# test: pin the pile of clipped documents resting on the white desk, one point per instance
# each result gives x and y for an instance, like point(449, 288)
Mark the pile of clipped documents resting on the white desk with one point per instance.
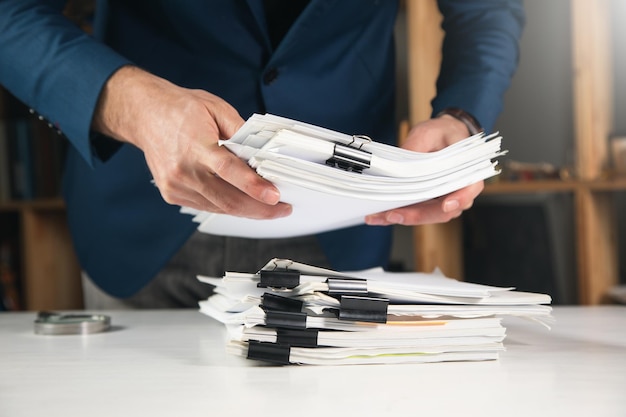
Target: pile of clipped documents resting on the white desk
point(293, 313)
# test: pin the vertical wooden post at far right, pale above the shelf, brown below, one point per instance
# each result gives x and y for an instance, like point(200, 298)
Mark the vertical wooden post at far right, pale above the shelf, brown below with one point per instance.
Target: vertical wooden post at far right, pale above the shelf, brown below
point(593, 121)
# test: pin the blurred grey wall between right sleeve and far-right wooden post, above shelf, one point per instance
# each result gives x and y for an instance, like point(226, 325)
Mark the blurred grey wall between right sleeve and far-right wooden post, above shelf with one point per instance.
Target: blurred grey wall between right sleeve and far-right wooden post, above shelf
point(537, 123)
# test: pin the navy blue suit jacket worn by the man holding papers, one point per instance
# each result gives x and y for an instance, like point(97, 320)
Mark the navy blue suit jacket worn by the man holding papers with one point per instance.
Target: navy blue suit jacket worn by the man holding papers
point(334, 68)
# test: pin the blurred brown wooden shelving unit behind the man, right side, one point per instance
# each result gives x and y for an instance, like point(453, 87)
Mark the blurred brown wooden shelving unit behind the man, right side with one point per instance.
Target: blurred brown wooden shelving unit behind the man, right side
point(595, 220)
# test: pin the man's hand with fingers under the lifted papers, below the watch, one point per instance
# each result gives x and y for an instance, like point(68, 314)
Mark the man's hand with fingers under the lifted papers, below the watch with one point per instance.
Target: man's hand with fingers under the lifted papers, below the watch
point(429, 136)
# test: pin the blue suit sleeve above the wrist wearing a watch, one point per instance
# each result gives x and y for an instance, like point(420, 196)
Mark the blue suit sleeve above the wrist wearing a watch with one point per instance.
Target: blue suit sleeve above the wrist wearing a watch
point(479, 57)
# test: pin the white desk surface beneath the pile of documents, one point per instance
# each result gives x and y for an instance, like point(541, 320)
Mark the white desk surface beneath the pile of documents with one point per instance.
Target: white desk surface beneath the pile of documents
point(172, 363)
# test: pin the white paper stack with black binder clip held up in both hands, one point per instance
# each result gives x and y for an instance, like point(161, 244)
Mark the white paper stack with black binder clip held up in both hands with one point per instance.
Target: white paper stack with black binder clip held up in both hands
point(334, 180)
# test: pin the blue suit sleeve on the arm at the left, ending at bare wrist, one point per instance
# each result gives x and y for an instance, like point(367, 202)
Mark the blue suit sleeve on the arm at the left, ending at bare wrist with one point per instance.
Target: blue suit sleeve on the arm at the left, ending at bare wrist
point(54, 67)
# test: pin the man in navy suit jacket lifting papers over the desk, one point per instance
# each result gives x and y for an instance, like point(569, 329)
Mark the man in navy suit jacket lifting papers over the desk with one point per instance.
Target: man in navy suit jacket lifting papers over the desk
point(150, 94)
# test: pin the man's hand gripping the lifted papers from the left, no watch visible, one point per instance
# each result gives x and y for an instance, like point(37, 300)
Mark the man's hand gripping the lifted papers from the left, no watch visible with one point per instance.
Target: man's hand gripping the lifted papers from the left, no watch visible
point(178, 131)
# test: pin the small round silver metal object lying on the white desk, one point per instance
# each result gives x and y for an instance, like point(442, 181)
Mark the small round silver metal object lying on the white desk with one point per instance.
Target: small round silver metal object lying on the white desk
point(49, 323)
